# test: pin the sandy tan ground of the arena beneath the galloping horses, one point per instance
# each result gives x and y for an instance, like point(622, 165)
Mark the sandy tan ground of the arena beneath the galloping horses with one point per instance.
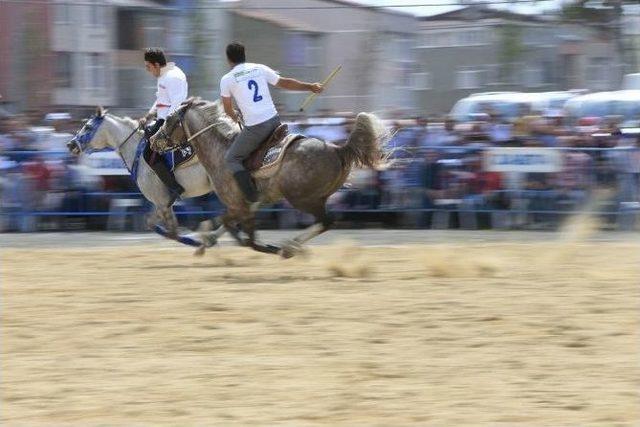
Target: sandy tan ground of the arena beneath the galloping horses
point(497, 332)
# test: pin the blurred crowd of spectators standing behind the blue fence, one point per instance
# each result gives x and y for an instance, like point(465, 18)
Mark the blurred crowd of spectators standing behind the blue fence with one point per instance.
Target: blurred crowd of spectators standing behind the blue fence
point(436, 164)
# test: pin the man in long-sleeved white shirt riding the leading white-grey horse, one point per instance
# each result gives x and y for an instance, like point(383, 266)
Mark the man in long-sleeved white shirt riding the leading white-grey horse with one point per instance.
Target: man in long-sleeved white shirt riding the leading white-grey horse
point(172, 91)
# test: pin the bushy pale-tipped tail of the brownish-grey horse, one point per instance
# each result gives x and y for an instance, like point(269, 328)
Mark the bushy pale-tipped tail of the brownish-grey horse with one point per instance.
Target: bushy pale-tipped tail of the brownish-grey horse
point(367, 143)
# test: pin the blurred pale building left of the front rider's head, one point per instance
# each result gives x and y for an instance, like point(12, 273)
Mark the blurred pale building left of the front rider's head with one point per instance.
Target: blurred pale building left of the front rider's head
point(97, 48)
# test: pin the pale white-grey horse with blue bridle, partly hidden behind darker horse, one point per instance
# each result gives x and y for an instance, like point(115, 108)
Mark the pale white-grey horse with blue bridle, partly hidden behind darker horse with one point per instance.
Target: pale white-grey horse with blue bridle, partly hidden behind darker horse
point(122, 134)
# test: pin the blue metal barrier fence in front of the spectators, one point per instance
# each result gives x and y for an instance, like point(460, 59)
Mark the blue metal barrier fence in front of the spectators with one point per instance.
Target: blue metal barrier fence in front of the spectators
point(432, 187)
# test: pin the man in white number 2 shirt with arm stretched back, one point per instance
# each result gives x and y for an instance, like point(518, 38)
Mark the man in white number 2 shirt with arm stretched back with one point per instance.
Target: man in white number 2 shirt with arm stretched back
point(248, 84)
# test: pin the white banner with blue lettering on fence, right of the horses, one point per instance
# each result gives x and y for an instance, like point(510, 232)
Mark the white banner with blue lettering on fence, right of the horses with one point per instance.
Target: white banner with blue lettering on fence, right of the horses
point(522, 160)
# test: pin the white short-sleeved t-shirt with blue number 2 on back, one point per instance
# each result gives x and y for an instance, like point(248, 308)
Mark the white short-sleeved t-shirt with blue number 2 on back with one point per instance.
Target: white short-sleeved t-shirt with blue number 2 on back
point(249, 85)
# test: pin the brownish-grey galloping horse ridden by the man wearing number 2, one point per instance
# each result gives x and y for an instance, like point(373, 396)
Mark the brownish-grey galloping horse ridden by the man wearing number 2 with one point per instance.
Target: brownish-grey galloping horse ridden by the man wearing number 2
point(305, 172)
